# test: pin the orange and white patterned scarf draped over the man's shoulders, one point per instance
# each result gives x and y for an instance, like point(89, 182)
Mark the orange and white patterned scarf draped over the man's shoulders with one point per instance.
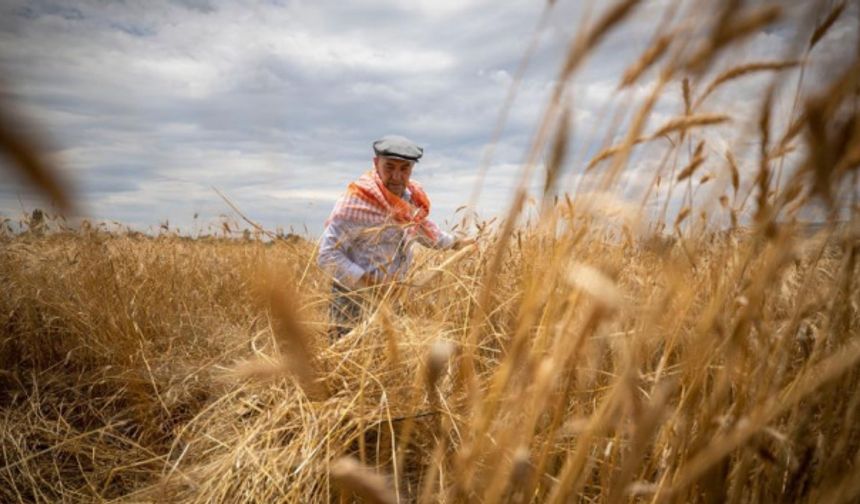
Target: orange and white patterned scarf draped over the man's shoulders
point(368, 201)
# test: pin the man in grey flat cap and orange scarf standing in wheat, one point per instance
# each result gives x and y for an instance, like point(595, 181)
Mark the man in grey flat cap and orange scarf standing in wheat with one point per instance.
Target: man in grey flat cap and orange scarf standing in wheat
point(369, 234)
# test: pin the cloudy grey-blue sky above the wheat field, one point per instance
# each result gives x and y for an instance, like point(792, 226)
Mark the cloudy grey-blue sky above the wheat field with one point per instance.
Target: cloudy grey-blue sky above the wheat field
point(148, 106)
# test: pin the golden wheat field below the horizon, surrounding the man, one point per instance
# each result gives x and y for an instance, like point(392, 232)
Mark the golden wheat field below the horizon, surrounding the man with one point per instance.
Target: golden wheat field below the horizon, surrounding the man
point(164, 369)
